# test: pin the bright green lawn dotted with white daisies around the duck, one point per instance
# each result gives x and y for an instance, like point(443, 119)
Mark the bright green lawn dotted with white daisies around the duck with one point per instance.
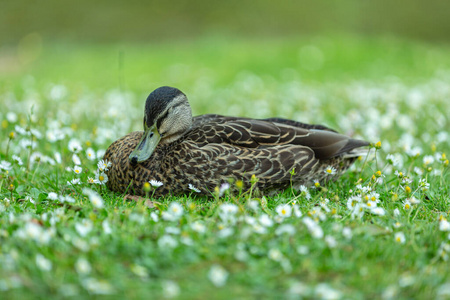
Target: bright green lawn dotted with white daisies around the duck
point(387, 90)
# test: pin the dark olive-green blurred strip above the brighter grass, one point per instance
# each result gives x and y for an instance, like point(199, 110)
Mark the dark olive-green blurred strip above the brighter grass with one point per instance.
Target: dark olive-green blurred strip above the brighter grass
point(146, 21)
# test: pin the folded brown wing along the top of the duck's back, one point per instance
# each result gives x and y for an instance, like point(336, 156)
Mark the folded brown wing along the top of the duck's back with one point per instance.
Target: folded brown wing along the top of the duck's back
point(252, 133)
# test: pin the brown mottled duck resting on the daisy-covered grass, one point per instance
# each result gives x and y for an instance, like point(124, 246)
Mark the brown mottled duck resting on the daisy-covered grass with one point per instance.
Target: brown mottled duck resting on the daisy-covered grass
point(198, 154)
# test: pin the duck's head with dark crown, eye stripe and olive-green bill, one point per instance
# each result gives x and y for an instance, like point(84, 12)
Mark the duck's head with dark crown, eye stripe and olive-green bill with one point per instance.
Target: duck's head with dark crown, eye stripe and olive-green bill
point(167, 117)
